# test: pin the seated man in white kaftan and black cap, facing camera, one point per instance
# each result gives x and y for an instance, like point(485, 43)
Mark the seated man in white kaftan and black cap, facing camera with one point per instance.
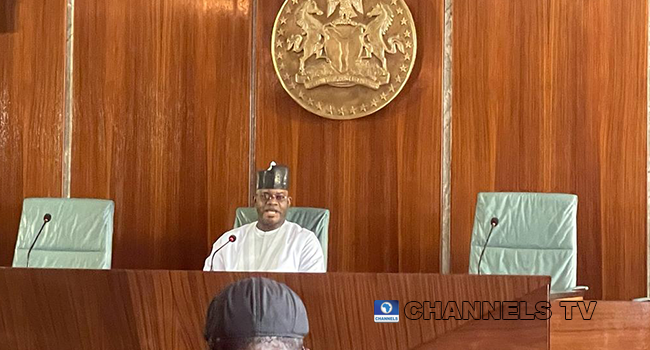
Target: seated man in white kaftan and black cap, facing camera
point(271, 244)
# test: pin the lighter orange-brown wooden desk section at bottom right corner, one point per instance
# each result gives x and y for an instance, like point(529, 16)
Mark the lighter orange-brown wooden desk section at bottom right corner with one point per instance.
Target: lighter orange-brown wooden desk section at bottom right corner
point(615, 325)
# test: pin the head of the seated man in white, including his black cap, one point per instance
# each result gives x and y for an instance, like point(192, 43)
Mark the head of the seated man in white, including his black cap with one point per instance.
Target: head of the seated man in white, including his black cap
point(272, 197)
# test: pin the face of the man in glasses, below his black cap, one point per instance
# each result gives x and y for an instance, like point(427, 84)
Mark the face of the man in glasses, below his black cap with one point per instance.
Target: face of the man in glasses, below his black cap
point(271, 208)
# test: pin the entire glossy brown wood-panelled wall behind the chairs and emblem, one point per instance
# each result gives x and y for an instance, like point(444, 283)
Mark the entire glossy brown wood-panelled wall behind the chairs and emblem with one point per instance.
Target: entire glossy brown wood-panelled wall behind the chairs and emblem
point(548, 95)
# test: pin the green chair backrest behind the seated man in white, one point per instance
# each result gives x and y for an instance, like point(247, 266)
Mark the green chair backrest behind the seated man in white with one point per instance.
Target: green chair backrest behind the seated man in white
point(316, 220)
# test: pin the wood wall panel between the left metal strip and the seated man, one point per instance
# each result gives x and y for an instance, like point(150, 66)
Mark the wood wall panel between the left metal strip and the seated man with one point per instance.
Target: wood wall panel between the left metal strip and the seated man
point(161, 122)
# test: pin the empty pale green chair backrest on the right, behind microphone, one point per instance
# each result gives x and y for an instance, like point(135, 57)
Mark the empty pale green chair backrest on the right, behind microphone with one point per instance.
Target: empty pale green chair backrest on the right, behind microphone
point(536, 235)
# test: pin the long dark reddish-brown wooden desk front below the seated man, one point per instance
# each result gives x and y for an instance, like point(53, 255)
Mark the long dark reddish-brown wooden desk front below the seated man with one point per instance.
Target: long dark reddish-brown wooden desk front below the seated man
point(151, 309)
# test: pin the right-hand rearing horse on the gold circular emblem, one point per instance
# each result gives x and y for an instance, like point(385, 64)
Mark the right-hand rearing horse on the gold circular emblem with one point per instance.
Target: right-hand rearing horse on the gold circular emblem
point(375, 31)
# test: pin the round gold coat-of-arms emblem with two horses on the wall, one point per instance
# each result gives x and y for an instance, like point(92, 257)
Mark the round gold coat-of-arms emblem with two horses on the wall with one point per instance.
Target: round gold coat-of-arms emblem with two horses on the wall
point(343, 59)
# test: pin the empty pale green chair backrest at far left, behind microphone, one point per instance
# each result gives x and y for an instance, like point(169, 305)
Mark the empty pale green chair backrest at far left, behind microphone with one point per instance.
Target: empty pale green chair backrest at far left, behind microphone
point(79, 235)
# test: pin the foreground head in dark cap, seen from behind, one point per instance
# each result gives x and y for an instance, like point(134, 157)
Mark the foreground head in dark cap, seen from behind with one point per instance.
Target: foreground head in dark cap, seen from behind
point(256, 314)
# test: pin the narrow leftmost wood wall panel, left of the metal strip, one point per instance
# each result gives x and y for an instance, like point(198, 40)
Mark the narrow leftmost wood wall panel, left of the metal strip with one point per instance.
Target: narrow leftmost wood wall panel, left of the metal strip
point(32, 43)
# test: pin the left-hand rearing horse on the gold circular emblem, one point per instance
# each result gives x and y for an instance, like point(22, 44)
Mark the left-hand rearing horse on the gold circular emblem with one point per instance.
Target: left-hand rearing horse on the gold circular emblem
point(311, 44)
